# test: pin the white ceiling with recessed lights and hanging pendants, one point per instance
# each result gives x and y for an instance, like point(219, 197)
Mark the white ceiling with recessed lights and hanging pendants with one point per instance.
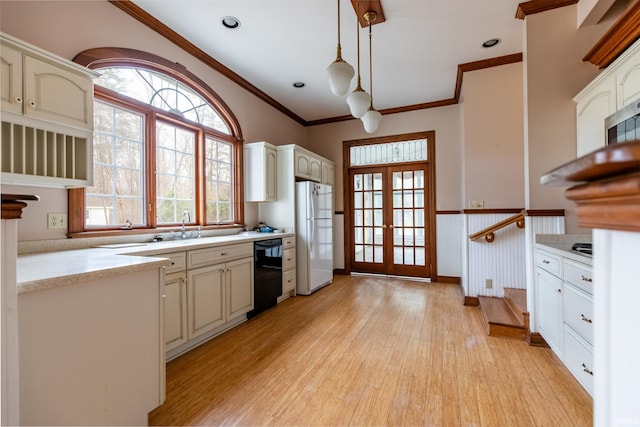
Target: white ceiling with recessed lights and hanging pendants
point(416, 50)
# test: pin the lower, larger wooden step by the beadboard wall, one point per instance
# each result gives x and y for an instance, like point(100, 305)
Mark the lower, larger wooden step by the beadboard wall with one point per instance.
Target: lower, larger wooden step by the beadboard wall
point(500, 319)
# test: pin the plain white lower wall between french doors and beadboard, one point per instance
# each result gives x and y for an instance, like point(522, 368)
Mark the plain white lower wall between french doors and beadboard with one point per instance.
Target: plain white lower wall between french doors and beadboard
point(448, 242)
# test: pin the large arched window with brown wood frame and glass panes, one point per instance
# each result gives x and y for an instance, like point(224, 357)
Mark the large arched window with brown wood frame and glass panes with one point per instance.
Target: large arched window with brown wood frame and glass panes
point(166, 150)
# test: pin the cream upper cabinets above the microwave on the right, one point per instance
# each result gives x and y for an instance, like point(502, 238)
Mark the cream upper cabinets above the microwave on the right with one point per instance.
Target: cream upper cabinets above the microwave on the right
point(615, 87)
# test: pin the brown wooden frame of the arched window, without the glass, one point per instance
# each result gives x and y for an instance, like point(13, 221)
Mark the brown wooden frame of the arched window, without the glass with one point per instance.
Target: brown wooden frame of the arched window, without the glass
point(121, 57)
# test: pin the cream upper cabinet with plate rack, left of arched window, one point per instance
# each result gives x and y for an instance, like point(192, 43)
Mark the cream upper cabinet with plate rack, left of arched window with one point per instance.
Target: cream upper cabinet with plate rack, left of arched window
point(47, 117)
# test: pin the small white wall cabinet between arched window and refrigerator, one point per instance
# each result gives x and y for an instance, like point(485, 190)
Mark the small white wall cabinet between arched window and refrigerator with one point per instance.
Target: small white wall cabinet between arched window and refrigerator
point(260, 172)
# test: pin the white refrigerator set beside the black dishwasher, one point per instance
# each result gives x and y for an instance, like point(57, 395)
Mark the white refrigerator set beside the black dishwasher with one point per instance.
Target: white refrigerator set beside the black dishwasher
point(314, 236)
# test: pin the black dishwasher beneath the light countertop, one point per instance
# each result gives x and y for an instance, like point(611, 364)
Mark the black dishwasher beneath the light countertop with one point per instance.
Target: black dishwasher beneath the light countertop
point(267, 274)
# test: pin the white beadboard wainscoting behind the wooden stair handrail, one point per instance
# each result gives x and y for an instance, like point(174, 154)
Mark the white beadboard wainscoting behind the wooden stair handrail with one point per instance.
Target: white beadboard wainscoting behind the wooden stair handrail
point(502, 261)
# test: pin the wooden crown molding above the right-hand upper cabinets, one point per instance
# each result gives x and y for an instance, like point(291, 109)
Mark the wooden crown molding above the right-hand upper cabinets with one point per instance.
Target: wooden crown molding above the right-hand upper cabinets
point(617, 39)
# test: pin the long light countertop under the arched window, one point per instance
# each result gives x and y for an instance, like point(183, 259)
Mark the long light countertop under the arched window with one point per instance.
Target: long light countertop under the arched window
point(37, 271)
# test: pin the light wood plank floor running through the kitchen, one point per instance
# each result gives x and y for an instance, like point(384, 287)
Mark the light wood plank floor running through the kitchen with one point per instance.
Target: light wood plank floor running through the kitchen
point(371, 351)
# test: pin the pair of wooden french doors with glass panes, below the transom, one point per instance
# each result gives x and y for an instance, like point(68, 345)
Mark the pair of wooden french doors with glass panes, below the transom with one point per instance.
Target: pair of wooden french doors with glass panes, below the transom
point(390, 209)
